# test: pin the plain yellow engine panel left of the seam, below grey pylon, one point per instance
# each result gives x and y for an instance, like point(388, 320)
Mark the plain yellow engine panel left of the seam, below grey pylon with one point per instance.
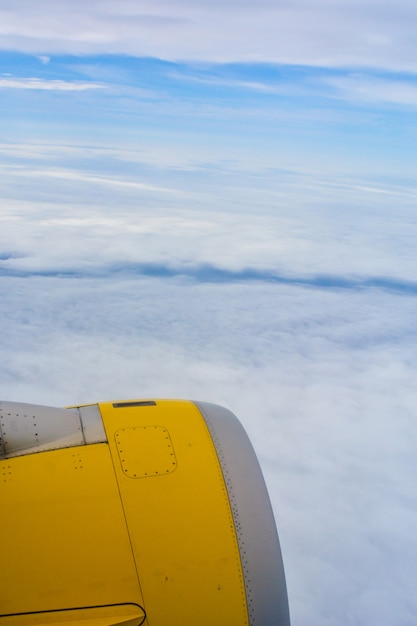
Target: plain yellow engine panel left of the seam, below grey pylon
point(64, 537)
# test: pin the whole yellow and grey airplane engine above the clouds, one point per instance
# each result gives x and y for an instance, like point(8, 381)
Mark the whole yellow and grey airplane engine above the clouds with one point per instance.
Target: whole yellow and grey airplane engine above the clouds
point(135, 512)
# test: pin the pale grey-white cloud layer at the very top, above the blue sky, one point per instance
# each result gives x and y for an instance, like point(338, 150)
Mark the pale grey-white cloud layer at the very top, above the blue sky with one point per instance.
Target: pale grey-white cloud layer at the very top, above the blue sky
point(370, 33)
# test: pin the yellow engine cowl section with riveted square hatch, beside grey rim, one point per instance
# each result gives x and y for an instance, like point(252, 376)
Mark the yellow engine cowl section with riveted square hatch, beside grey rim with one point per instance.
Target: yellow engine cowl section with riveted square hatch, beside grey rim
point(180, 522)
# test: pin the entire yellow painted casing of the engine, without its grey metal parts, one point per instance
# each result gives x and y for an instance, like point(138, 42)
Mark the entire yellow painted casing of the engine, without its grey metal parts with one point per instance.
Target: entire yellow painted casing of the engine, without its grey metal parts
point(141, 521)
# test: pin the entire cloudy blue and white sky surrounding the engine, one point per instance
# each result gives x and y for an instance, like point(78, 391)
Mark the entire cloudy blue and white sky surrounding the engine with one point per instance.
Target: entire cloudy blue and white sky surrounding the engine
point(217, 201)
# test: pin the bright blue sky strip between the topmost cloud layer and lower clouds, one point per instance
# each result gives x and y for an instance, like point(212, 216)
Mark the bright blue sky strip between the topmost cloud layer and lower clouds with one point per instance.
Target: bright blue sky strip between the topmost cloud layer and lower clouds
point(351, 118)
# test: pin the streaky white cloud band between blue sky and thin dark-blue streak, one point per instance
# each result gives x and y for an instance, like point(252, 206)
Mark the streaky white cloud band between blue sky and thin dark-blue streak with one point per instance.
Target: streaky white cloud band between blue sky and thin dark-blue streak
point(113, 212)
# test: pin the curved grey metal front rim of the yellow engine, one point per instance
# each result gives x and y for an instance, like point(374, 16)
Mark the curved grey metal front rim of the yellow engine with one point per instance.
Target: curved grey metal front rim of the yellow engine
point(257, 537)
